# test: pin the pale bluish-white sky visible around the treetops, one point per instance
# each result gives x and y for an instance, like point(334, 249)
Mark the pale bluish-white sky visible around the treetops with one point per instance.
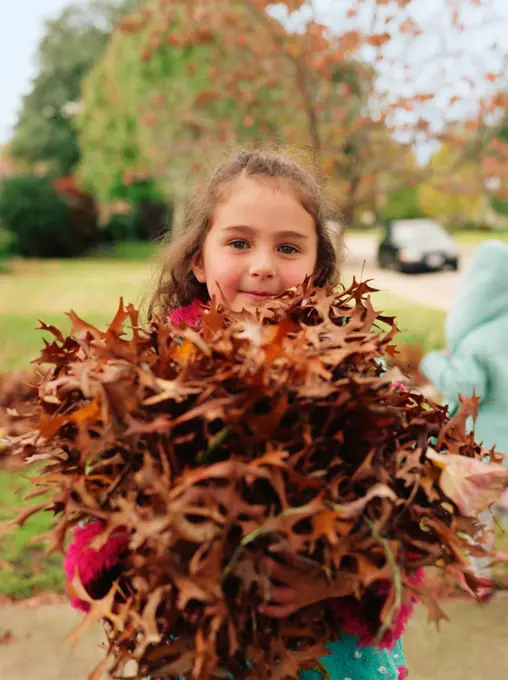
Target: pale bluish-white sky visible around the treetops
point(22, 24)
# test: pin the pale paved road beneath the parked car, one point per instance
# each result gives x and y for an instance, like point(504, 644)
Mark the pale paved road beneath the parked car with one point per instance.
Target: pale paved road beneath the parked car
point(435, 290)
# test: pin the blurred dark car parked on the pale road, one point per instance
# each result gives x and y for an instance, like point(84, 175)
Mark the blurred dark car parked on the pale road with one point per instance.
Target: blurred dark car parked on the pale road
point(416, 246)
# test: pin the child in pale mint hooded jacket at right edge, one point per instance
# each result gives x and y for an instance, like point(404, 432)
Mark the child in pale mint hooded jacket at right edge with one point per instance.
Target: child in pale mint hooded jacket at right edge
point(476, 359)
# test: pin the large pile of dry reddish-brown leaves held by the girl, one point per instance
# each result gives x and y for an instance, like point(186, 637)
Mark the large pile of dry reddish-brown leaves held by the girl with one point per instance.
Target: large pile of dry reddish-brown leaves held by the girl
point(243, 443)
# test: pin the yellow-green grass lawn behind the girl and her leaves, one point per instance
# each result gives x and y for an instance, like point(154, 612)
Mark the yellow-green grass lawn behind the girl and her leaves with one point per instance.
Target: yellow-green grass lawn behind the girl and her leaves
point(45, 290)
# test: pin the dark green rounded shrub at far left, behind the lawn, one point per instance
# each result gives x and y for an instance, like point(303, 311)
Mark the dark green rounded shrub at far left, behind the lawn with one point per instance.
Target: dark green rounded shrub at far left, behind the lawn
point(41, 222)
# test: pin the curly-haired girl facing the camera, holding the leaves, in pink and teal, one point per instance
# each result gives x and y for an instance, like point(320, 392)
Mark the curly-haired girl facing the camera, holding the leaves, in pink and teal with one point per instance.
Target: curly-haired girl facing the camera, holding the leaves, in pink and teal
point(258, 229)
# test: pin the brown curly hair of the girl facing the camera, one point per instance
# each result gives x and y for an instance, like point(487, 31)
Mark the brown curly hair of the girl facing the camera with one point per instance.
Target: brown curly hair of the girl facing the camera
point(176, 284)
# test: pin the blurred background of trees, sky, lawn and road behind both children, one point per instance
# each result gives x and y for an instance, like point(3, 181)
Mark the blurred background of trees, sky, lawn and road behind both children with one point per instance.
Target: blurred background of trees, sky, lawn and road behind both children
point(110, 110)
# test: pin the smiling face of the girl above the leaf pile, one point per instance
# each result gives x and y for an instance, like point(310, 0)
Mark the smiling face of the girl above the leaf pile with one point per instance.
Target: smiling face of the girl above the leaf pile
point(261, 242)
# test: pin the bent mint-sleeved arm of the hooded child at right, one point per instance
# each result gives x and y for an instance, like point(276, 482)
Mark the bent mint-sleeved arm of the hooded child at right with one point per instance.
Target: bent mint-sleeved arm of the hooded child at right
point(454, 374)
